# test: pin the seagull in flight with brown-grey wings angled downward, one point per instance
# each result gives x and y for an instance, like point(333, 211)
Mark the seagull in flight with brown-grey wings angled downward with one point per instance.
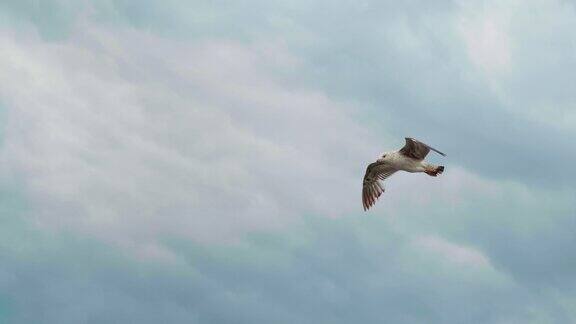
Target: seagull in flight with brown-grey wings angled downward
point(410, 158)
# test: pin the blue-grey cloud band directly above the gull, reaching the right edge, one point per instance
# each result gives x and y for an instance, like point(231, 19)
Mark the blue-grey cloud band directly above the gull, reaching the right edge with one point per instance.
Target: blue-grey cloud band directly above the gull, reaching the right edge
point(431, 90)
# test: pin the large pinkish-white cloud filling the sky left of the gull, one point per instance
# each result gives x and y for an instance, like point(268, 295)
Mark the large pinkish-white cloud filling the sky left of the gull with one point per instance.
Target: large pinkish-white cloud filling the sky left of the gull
point(131, 137)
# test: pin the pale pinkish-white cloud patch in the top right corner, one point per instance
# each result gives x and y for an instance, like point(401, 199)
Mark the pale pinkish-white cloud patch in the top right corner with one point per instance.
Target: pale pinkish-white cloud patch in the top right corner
point(519, 44)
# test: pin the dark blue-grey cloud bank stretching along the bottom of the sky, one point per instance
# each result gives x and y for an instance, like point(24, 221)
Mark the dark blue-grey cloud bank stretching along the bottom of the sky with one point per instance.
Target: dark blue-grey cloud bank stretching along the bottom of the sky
point(327, 271)
